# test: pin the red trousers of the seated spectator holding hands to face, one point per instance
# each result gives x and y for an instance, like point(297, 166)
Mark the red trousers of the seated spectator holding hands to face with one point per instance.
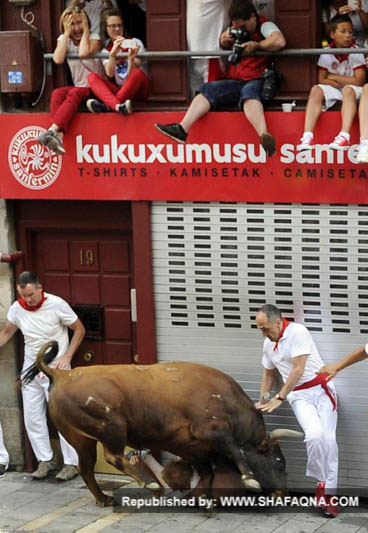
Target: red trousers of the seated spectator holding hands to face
point(65, 102)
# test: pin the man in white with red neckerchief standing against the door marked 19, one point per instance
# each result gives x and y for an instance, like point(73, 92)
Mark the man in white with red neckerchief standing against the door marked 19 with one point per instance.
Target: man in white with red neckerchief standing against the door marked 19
point(42, 317)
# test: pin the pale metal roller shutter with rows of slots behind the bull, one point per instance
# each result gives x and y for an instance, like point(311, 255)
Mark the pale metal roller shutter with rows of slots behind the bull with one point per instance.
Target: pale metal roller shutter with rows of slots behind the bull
point(215, 264)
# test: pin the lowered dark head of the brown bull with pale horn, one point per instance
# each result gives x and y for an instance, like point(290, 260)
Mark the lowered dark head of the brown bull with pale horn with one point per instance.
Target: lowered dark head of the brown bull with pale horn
point(267, 461)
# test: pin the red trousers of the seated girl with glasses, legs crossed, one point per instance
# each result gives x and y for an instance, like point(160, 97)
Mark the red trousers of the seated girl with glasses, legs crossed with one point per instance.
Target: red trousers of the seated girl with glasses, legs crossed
point(134, 88)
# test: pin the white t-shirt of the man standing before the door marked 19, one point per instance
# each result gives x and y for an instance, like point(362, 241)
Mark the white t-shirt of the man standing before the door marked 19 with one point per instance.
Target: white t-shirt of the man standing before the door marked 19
point(50, 322)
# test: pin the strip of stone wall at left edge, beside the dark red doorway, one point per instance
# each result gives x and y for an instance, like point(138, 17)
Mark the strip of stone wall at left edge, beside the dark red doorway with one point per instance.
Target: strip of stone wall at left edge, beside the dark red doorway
point(10, 401)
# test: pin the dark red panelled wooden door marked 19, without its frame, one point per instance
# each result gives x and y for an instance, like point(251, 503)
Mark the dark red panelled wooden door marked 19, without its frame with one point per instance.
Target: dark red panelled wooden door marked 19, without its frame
point(91, 270)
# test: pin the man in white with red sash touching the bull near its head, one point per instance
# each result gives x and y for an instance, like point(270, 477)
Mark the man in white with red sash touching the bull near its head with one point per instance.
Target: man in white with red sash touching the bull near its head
point(290, 349)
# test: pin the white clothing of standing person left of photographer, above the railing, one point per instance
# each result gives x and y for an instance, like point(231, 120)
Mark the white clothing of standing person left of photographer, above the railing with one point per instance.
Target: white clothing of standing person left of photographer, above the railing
point(206, 19)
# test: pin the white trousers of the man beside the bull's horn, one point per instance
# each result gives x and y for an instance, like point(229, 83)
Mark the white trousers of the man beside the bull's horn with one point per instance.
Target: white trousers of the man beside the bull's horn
point(314, 412)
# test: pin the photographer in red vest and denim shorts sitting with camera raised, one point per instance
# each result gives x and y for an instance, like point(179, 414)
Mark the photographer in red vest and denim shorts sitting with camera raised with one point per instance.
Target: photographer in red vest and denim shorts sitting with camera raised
point(243, 82)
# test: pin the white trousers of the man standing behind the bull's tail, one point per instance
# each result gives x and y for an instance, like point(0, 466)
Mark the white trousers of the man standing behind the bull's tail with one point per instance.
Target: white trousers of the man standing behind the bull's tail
point(35, 398)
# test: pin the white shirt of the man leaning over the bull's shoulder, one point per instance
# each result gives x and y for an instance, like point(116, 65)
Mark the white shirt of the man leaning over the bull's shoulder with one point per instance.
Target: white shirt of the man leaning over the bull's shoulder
point(295, 341)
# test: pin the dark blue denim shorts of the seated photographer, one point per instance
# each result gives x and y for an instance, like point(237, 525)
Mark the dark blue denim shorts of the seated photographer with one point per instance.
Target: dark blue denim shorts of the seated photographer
point(231, 92)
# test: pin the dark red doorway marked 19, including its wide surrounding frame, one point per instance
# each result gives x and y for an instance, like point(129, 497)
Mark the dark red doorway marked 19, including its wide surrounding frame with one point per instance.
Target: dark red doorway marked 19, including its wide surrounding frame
point(97, 256)
